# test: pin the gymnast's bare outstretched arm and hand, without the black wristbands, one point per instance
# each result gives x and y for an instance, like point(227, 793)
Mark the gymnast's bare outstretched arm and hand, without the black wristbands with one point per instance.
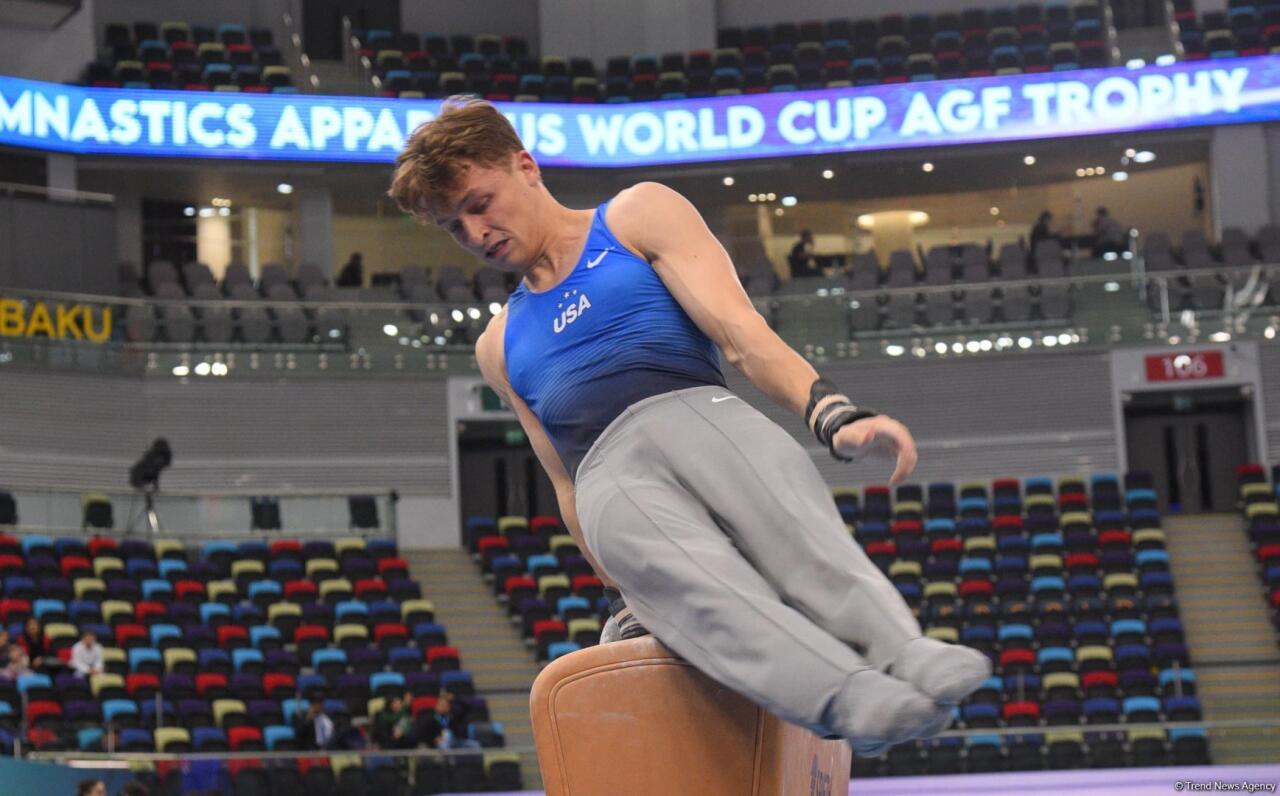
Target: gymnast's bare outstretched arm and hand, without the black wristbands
point(666, 230)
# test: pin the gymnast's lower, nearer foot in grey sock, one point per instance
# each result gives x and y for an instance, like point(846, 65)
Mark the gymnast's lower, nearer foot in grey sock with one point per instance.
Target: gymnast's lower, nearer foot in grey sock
point(879, 711)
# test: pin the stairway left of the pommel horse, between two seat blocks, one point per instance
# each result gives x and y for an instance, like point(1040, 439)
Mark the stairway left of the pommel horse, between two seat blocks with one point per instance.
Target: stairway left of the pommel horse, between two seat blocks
point(490, 644)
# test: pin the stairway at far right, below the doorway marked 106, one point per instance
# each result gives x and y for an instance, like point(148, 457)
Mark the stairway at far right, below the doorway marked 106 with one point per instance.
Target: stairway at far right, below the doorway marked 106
point(1228, 630)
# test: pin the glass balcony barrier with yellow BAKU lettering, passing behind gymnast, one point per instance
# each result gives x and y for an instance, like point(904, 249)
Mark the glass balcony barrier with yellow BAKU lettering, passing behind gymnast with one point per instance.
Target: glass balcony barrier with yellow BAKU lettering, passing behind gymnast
point(1096, 304)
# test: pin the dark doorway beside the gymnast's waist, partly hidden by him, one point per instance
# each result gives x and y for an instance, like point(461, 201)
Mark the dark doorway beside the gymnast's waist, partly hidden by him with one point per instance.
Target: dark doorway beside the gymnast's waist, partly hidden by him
point(499, 473)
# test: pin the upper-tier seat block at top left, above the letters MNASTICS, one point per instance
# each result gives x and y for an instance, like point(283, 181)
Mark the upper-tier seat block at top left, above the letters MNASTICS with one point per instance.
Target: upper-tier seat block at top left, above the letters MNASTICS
point(193, 58)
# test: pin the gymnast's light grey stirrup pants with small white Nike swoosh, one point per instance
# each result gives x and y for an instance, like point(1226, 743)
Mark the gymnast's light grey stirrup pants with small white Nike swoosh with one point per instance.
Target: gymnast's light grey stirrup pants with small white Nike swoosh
point(728, 546)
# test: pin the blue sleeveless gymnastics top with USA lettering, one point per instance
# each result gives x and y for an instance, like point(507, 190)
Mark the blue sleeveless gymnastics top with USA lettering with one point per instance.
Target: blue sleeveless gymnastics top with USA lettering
point(610, 335)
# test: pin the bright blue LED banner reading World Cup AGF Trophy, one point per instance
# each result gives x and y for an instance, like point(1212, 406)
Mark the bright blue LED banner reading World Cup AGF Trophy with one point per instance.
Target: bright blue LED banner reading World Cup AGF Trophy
point(941, 113)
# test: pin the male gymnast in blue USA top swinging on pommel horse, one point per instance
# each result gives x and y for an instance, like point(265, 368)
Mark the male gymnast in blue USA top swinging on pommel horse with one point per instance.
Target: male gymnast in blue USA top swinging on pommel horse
point(711, 520)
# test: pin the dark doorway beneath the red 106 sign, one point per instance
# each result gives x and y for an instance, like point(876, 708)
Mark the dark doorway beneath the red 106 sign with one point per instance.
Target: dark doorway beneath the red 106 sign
point(1191, 442)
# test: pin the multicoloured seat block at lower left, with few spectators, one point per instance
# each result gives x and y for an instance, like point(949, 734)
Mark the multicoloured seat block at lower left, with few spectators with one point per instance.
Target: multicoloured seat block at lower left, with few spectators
point(216, 649)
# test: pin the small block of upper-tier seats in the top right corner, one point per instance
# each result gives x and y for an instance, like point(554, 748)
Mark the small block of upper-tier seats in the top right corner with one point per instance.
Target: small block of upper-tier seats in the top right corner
point(1242, 29)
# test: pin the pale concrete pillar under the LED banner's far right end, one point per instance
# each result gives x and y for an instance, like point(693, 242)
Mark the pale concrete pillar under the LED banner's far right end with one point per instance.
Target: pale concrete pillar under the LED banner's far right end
point(1240, 175)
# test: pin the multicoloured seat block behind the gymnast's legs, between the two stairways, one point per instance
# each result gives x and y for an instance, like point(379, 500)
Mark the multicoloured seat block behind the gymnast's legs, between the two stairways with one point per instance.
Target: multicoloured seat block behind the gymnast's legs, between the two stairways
point(1064, 585)
